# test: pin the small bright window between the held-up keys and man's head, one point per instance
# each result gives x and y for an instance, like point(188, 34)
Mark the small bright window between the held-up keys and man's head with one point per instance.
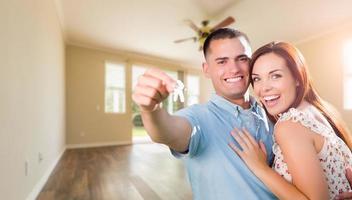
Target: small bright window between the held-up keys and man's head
point(192, 89)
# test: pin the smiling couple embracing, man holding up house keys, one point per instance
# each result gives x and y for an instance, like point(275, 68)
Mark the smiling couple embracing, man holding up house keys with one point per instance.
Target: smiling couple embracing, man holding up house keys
point(311, 146)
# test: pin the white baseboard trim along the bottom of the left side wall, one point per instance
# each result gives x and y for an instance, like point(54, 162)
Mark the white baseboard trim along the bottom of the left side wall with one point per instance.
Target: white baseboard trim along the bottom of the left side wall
point(40, 184)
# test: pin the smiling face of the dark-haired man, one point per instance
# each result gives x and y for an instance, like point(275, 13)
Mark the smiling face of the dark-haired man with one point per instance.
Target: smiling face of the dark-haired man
point(227, 65)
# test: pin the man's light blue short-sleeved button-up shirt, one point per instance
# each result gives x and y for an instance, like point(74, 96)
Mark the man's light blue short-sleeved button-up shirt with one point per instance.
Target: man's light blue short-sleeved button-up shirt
point(215, 171)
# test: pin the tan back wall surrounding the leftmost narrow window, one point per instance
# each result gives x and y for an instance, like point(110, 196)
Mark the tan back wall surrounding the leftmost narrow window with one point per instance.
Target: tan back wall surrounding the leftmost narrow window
point(87, 125)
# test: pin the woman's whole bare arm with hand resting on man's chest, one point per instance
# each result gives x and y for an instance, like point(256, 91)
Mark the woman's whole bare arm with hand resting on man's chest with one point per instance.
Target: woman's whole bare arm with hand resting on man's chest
point(300, 155)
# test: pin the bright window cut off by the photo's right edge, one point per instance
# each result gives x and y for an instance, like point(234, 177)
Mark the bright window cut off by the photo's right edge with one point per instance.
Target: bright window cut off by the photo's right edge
point(347, 55)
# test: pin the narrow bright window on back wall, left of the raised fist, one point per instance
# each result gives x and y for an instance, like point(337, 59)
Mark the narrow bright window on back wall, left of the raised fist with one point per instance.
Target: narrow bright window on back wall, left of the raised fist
point(115, 84)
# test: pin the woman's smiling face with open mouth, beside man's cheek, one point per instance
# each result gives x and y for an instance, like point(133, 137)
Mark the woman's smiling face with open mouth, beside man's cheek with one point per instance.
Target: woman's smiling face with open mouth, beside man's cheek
point(273, 83)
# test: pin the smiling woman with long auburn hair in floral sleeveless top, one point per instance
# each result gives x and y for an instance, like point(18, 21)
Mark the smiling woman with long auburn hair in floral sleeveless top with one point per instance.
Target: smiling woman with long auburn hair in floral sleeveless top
point(311, 146)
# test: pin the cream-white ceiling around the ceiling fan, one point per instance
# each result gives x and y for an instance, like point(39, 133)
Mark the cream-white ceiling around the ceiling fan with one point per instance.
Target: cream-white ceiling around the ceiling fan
point(149, 27)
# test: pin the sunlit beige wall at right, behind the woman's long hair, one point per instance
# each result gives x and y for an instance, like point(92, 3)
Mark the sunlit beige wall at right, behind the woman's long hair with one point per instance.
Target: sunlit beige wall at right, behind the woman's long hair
point(325, 60)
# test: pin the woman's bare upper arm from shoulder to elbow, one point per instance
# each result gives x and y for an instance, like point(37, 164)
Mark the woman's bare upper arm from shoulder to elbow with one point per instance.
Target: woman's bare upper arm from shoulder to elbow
point(300, 154)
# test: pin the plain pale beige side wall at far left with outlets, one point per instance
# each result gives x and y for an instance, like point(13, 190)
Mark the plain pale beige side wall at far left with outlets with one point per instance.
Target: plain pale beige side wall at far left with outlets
point(32, 98)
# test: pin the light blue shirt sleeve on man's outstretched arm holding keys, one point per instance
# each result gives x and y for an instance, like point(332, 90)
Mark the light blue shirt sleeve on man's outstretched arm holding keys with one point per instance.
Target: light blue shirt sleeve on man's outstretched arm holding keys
point(191, 114)
